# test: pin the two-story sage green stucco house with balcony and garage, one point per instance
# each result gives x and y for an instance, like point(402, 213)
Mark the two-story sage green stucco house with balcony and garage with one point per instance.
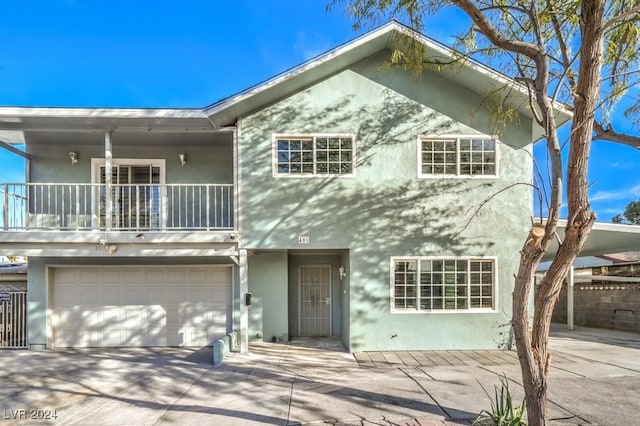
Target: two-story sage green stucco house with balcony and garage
point(342, 197)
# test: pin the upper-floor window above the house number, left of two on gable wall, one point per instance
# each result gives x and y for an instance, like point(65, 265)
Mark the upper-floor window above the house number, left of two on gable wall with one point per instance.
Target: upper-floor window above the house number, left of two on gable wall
point(314, 155)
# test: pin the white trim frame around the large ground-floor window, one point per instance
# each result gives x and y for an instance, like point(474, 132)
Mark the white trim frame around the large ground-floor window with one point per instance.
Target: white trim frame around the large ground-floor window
point(405, 311)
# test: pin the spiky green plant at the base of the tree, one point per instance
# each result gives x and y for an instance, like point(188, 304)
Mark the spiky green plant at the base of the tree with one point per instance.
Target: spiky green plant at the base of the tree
point(503, 410)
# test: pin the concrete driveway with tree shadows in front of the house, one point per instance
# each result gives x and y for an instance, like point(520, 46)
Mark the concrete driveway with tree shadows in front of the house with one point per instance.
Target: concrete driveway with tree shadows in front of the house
point(595, 379)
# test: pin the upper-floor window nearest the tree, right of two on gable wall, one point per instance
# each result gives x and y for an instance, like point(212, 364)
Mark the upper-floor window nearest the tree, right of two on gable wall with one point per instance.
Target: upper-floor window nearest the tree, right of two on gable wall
point(458, 156)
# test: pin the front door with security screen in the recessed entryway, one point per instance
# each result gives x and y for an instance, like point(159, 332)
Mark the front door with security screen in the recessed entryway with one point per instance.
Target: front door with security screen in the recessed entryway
point(315, 300)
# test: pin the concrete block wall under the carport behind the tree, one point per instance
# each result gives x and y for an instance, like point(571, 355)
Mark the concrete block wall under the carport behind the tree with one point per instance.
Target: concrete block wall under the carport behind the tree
point(612, 306)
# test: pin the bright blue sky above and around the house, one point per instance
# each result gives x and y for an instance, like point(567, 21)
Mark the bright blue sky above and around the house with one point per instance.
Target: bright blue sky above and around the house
point(192, 53)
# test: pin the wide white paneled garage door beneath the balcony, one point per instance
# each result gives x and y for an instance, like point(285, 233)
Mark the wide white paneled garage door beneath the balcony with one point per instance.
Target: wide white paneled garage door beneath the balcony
point(140, 306)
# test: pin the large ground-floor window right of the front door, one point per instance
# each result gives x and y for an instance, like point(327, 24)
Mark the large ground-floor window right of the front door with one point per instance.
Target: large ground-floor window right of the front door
point(433, 284)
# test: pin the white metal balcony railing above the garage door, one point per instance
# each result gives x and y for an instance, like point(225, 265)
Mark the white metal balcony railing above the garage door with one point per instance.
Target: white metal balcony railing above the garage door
point(76, 206)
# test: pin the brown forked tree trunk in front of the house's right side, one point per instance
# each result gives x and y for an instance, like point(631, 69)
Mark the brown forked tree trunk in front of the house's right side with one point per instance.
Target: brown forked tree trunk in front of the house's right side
point(533, 351)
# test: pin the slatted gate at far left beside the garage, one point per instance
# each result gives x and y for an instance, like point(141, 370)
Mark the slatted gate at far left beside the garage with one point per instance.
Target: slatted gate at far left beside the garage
point(13, 318)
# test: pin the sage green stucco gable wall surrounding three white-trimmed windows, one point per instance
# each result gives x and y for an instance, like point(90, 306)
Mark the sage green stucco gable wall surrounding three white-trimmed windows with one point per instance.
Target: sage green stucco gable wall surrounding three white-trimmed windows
point(385, 210)
